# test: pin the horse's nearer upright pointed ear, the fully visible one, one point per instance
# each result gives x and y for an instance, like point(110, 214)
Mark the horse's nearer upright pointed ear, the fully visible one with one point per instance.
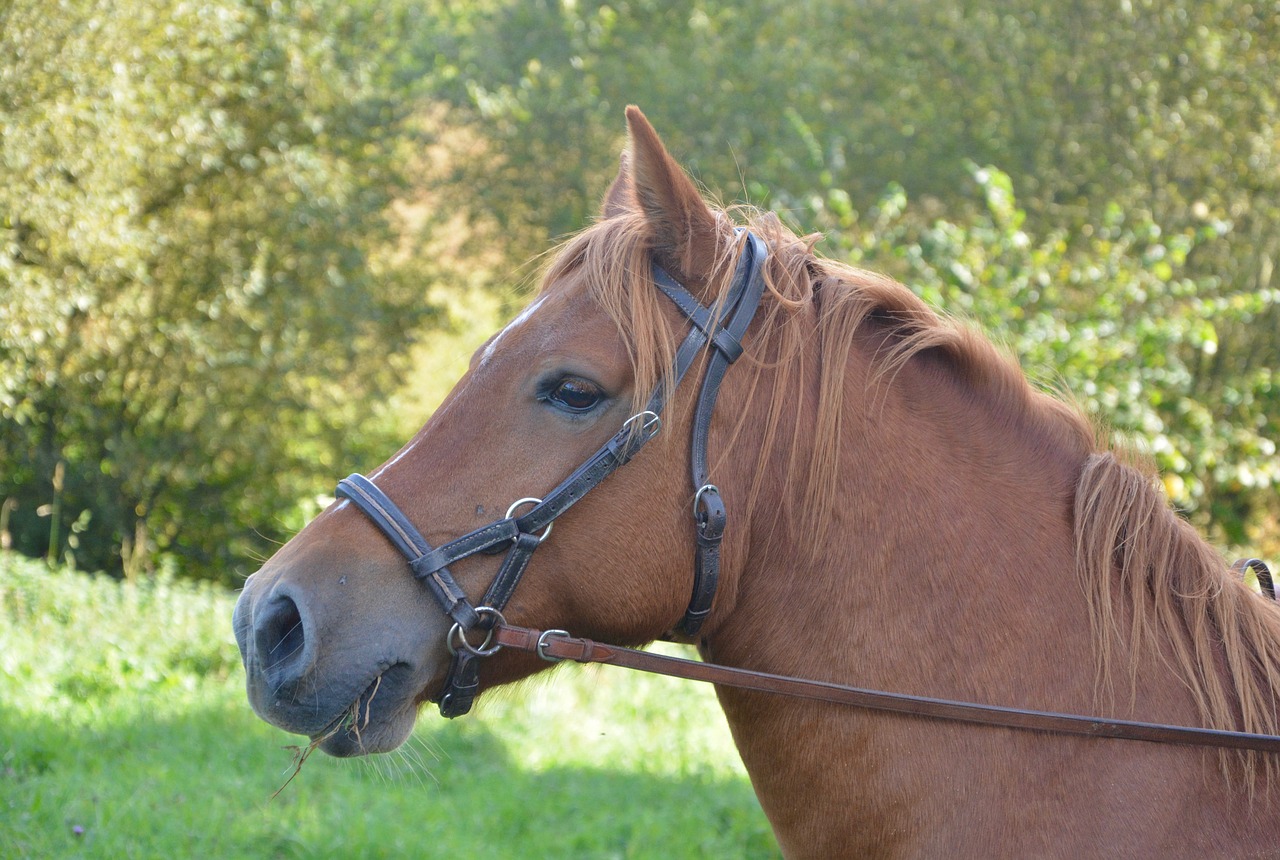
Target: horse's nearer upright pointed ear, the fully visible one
point(683, 225)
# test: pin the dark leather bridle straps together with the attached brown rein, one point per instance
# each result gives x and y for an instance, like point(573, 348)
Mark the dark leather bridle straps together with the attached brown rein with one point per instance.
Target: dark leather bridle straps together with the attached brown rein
point(525, 533)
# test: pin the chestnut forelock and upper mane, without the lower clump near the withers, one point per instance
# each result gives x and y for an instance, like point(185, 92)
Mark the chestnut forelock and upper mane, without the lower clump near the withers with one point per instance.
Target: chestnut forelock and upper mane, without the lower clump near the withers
point(615, 255)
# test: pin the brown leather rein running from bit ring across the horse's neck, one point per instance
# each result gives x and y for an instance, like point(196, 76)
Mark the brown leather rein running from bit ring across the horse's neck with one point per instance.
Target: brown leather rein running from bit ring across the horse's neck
point(556, 646)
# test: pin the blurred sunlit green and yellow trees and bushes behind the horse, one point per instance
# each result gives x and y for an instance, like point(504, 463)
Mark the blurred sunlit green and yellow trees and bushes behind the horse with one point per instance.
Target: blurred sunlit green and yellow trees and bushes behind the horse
point(223, 223)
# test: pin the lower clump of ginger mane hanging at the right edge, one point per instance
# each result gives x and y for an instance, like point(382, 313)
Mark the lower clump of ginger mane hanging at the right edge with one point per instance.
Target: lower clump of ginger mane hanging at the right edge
point(1155, 585)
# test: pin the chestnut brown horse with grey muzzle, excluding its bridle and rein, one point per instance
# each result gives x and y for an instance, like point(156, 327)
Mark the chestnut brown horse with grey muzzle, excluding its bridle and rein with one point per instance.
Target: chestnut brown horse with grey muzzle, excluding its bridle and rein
point(904, 513)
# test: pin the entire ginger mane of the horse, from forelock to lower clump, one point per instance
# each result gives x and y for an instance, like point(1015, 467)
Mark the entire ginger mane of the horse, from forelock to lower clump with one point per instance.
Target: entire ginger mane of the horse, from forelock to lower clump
point(1151, 583)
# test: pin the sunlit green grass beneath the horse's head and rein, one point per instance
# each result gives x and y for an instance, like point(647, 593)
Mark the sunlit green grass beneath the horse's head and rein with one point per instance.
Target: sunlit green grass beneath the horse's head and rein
point(125, 733)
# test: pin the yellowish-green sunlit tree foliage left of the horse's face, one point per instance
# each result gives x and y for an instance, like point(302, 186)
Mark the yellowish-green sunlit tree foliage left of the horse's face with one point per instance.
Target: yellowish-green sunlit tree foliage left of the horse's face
point(196, 271)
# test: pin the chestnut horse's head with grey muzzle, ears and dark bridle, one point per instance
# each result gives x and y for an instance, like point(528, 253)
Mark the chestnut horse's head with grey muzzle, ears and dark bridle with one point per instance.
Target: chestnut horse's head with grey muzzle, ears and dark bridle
point(344, 643)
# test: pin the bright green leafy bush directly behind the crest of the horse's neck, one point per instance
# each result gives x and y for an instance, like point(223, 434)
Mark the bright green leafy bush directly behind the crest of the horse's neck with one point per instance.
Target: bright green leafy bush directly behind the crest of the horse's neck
point(1110, 317)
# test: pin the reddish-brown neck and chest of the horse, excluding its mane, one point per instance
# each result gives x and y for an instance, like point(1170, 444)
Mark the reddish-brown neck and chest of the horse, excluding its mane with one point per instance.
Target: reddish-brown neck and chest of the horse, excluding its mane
point(948, 569)
